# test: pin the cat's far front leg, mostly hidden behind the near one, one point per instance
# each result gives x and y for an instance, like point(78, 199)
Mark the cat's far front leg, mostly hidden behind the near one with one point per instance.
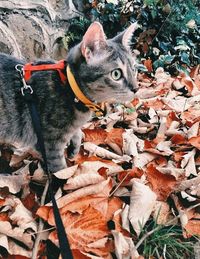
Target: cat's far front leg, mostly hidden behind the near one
point(75, 143)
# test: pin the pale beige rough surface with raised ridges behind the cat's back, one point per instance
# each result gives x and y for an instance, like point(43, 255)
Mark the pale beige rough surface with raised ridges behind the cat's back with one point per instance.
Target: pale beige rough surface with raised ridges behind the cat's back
point(33, 29)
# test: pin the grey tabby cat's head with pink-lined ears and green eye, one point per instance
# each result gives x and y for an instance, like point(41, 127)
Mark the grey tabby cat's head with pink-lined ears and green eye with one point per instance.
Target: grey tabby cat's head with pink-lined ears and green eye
point(105, 69)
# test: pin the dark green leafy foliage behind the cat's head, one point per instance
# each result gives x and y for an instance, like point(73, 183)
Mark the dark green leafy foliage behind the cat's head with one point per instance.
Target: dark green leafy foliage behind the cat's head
point(169, 34)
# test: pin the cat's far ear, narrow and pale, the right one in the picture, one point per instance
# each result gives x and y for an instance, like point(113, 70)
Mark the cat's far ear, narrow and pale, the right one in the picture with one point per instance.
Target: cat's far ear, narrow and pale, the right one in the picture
point(125, 37)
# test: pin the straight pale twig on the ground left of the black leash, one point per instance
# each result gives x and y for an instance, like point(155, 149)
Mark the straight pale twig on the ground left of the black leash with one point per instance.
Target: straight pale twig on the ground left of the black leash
point(41, 224)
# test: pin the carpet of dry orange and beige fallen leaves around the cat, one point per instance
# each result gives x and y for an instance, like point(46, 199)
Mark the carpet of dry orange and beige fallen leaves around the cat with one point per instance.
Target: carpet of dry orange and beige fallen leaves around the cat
point(139, 163)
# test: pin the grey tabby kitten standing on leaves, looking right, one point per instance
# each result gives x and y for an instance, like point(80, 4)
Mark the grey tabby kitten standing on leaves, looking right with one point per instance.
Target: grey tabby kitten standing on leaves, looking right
point(103, 69)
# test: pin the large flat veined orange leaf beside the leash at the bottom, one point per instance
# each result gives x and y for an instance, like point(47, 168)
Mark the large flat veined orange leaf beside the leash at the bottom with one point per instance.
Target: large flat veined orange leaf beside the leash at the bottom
point(84, 229)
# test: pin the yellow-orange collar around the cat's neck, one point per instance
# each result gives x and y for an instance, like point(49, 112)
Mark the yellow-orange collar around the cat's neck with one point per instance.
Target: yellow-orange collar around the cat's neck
point(80, 95)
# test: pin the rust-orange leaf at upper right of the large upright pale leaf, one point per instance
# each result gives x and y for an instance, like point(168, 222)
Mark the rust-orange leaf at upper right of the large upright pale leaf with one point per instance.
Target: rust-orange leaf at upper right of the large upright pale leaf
point(162, 184)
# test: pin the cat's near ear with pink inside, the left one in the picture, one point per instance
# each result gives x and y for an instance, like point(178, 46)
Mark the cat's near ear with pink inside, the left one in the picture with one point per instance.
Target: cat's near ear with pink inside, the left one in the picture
point(93, 40)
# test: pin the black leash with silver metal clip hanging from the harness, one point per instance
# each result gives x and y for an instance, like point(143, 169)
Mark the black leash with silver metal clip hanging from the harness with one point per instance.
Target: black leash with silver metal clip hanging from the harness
point(28, 95)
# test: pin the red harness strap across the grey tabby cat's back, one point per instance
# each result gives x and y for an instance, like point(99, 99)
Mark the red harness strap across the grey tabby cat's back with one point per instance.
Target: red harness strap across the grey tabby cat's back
point(59, 66)
